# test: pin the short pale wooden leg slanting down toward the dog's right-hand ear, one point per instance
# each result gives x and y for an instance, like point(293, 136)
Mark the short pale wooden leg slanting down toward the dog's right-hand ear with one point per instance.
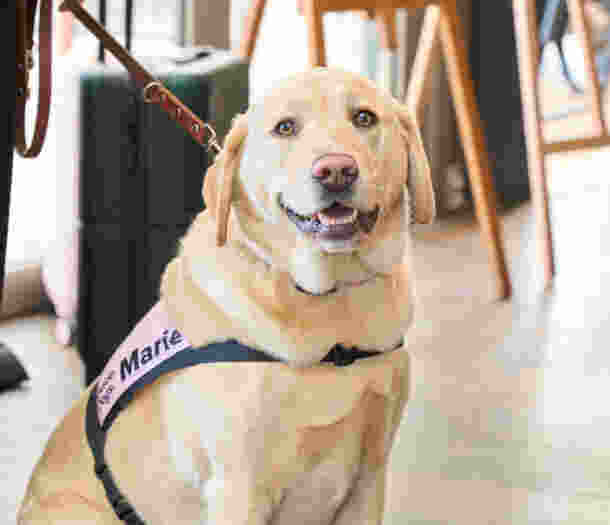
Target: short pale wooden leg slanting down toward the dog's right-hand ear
point(426, 51)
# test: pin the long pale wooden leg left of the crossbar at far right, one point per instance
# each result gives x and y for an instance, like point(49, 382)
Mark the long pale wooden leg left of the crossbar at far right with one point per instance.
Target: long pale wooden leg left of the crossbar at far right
point(526, 36)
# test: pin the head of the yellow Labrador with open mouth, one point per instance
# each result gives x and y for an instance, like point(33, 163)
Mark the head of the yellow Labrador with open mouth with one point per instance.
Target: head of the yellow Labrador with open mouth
point(326, 169)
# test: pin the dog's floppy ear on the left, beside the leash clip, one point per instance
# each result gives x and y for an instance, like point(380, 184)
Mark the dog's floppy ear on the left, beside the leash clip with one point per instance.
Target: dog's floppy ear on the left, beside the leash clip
point(218, 182)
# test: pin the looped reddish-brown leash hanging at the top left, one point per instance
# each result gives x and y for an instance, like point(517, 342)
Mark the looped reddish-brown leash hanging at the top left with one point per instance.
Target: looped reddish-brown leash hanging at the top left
point(26, 15)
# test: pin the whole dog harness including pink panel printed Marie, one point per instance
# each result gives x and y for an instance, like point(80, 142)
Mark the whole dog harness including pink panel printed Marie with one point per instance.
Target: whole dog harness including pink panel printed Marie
point(152, 349)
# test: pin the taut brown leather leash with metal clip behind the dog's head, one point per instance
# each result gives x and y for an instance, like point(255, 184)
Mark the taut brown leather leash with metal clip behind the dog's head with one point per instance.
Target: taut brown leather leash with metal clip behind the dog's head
point(153, 91)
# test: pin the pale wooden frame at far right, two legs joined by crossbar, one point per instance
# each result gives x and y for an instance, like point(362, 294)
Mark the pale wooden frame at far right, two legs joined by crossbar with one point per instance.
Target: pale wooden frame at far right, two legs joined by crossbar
point(529, 58)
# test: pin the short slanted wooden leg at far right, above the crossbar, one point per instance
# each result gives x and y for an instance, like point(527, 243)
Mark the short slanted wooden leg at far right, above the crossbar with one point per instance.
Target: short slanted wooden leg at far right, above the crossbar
point(576, 9)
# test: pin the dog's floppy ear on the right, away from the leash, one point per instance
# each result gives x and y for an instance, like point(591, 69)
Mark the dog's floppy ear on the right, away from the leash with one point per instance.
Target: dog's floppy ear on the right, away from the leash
point(419, 180)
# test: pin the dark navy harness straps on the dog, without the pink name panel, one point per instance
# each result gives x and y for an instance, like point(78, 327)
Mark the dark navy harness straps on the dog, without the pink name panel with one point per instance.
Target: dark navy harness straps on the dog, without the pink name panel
point(213, 353)
